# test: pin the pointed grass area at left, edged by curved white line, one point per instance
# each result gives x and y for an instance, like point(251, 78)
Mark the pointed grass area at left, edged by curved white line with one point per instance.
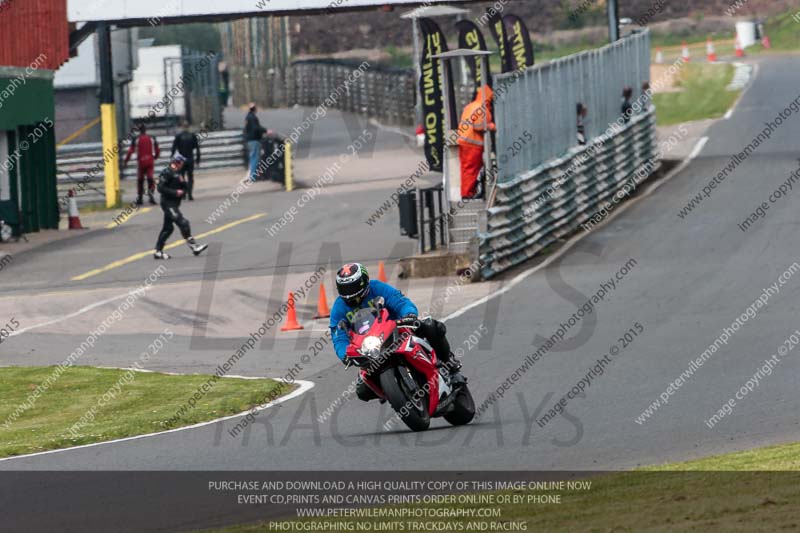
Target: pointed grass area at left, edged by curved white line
point(131, 407)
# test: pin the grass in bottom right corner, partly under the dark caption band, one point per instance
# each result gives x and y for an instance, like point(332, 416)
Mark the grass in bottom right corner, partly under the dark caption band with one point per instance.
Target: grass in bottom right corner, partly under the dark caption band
point(754, 490)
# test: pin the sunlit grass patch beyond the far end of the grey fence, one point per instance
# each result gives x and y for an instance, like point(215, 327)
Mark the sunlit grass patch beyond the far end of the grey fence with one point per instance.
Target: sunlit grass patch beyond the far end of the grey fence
point(703, 94)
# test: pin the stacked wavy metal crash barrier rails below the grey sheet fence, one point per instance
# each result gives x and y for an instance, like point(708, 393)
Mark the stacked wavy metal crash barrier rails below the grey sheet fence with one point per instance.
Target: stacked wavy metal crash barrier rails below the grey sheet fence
point(516, 231)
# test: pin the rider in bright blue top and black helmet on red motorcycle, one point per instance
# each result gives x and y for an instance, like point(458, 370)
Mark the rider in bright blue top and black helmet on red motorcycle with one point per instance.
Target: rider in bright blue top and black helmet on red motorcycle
point(357, 291)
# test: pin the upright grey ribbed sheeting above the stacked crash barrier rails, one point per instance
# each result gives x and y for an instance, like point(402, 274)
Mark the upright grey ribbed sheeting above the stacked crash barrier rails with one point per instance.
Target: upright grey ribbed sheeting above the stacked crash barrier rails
point(536, 108)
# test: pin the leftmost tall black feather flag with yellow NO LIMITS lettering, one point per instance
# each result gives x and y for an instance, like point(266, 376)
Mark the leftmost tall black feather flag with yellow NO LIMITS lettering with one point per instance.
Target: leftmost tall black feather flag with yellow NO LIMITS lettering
point(430, 89)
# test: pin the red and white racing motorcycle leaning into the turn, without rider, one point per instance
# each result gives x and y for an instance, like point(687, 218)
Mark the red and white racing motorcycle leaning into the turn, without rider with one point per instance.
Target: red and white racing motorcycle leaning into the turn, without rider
point(404, 370)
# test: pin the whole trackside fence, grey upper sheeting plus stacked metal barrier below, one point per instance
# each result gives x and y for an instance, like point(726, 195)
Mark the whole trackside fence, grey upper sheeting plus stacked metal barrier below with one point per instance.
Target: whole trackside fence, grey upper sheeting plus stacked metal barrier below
point(548, 183)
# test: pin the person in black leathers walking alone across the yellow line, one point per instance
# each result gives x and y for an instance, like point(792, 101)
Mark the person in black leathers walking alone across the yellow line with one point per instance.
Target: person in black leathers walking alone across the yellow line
point(172, 188)
